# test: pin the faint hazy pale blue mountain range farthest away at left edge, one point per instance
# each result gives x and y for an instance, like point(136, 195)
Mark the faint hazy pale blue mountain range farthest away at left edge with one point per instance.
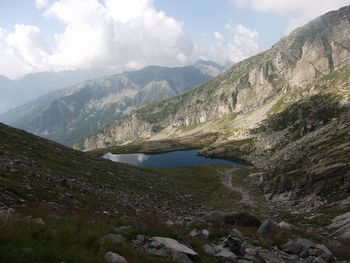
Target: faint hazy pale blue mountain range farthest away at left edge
point(31, 86)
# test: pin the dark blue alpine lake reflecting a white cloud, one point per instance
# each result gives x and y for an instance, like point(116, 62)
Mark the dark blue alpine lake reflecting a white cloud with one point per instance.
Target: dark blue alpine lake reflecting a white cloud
point(165, 160)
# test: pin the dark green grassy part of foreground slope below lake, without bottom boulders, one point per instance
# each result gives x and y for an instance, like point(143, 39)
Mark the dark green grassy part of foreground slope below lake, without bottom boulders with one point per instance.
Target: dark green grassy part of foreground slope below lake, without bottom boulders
point(101, 195)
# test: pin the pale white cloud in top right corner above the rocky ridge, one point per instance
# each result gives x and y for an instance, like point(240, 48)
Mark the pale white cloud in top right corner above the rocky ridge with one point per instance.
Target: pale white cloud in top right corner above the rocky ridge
point(298, 12)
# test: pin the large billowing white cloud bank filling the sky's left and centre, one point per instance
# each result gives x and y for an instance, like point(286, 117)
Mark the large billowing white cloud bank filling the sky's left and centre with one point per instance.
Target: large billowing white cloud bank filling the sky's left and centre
point(113, 33)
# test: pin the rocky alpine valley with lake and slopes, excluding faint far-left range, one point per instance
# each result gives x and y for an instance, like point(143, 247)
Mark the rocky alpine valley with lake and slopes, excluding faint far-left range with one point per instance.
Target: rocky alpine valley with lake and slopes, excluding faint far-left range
point(275, 187)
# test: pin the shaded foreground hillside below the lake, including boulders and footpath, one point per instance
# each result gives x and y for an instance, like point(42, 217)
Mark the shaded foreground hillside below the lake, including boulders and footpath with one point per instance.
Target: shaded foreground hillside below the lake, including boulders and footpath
point(62, 205)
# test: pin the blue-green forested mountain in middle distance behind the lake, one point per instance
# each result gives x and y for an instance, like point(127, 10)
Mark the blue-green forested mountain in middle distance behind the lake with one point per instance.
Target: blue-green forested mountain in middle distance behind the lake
point(68, 115)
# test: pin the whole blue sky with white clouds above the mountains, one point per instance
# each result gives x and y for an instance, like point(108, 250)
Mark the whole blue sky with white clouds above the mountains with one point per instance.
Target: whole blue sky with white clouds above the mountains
point(54, 35)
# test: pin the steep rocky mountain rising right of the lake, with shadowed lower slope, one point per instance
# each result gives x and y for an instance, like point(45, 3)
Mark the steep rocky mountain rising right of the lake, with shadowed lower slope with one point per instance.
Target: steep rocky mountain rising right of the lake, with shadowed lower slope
point(284, 110)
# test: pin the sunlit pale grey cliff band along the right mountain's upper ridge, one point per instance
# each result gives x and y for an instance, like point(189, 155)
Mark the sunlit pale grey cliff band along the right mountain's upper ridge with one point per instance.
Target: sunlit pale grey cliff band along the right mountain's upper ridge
point(298, 60)
